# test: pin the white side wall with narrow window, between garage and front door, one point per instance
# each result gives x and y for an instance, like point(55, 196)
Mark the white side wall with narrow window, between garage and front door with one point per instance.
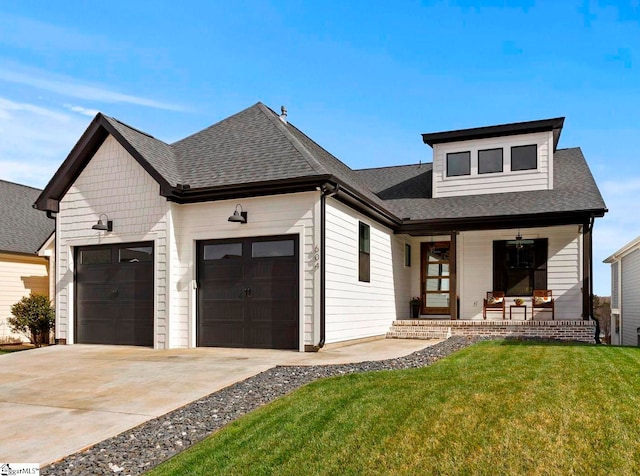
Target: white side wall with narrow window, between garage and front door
point(357, 309)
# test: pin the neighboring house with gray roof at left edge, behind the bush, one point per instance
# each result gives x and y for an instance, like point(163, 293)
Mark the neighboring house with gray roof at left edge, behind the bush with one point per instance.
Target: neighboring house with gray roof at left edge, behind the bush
point(23, 230)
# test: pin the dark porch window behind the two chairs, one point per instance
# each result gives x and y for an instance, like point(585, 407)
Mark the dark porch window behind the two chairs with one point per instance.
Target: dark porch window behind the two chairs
point(520, 266)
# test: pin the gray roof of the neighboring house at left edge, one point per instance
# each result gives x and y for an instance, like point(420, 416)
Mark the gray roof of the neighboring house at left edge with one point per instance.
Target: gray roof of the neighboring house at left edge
point(23, 229)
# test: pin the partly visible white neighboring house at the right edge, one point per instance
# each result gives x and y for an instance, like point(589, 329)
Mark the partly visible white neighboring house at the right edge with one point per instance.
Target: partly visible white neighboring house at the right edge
point(625, 299)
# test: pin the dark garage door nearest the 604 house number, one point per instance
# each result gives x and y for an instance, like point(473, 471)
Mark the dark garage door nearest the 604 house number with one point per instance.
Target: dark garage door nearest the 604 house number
point(248, 293)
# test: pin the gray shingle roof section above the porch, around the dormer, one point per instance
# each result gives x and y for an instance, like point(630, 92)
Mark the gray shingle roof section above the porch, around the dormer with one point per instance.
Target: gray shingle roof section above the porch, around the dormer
point(574, 190)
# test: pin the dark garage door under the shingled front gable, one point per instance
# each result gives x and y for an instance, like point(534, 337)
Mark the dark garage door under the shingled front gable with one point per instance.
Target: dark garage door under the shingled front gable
point(114, 294)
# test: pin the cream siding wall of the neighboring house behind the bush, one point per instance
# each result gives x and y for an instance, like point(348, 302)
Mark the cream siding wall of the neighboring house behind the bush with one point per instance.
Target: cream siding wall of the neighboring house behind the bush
point(19, 276)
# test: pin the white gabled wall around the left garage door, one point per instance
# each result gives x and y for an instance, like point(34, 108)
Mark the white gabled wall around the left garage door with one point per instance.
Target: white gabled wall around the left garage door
point(115, 184)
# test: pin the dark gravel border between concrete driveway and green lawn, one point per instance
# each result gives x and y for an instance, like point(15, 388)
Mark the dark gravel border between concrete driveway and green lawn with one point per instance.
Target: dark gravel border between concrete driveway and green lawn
point(135, 451)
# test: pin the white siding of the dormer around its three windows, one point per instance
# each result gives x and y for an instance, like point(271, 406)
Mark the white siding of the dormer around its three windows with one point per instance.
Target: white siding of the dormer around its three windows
point(505, 181)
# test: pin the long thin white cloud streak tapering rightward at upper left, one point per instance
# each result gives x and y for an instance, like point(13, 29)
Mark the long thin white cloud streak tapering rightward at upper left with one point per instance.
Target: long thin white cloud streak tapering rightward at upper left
point(70, 87)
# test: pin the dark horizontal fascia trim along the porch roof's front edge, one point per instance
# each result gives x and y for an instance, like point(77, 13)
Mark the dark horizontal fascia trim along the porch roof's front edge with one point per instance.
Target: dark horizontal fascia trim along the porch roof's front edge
point(447, 225)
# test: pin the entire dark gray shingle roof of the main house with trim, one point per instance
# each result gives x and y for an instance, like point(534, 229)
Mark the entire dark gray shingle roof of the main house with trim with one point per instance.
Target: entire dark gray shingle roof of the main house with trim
point(255, 153)
